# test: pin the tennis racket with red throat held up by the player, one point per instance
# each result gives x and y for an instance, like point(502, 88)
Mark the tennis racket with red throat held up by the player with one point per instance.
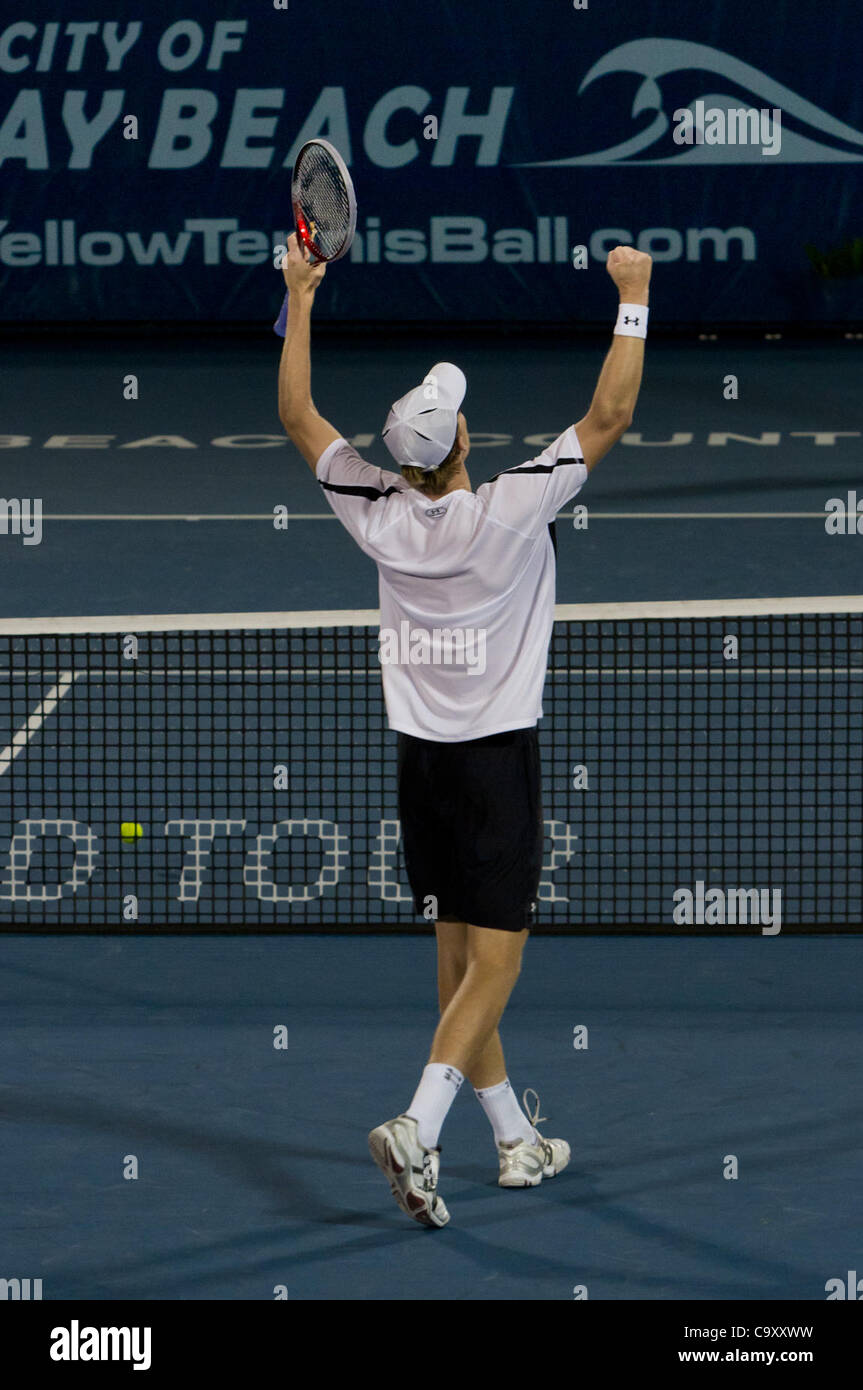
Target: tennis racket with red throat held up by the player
point(324, 208)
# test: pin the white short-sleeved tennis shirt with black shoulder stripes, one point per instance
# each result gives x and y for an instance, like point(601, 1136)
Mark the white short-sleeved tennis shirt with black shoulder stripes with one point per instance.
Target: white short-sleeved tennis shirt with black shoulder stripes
point(466, 586)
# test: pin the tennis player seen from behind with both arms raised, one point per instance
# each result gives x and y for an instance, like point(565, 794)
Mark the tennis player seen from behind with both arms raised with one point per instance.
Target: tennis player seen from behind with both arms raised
point(468, 605)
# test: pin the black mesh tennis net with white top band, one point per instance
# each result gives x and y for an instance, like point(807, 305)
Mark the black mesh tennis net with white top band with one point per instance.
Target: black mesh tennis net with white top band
point(237, 772)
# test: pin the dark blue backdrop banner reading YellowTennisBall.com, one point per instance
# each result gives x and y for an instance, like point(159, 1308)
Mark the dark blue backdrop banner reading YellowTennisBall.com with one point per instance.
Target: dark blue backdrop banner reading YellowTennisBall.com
point(498, 154)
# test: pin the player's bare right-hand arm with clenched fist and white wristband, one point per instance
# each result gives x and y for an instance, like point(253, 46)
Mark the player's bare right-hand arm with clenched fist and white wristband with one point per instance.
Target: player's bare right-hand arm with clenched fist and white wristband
point(614, 404)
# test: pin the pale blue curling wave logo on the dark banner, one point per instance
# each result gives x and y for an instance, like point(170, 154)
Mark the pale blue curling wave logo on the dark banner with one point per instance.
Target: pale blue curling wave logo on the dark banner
point(655, 59)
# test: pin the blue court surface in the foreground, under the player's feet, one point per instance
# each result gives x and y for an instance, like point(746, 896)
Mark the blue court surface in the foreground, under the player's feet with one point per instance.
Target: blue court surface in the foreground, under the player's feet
point(254, 1170)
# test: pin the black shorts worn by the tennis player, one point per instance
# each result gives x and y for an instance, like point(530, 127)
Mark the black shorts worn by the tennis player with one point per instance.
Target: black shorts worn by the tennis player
point(472, 828)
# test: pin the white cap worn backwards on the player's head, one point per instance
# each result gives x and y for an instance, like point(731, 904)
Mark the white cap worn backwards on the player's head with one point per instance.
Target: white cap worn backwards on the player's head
point(422, 427)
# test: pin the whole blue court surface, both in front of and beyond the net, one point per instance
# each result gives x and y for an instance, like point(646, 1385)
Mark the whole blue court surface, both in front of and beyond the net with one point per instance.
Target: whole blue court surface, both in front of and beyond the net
point(254, 1168)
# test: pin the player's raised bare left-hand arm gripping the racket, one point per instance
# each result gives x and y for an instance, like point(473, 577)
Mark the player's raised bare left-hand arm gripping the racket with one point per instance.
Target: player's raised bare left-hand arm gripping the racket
point(309, 432)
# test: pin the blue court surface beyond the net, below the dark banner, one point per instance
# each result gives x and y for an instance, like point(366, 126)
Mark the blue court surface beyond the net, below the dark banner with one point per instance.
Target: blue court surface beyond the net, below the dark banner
point(166, 504)
